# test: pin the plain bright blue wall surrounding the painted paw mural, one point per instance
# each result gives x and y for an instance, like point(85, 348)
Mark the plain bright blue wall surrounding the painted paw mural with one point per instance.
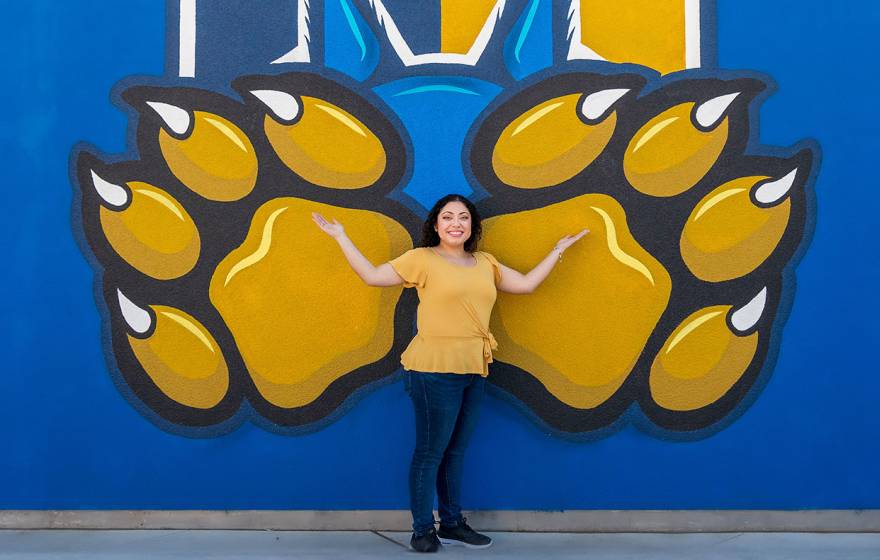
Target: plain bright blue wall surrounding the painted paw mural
point(70, 440)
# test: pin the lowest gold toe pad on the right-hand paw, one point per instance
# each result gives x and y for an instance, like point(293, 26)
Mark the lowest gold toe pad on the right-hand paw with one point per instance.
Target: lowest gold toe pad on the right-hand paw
point(701, 361)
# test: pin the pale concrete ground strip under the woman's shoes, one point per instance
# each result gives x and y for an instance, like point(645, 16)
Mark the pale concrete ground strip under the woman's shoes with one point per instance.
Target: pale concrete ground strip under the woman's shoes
point(160, 544)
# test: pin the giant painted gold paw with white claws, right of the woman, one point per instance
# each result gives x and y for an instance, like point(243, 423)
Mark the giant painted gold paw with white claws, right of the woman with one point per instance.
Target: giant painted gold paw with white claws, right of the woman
point(671, 300)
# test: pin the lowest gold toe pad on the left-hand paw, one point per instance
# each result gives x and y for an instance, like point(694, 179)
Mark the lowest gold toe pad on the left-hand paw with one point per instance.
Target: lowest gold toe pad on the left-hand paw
point(183, 359)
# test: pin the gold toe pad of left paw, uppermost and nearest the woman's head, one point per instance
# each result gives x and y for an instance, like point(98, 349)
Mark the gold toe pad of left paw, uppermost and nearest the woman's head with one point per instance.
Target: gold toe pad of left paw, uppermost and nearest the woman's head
point(328, 146)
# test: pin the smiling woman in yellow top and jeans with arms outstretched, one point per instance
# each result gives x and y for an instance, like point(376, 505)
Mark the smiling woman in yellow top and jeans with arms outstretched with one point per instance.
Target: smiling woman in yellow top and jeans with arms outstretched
point(448, 360)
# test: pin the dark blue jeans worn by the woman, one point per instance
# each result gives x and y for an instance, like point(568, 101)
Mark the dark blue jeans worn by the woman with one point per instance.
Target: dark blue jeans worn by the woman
point(446, 408)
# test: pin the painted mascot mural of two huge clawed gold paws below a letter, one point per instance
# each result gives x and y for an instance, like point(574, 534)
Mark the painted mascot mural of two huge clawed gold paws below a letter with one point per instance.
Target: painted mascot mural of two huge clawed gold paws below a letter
point(222, 303)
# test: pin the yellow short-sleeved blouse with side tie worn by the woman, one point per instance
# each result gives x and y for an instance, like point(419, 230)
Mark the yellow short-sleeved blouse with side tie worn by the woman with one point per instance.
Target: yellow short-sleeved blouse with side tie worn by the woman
point(455, 303)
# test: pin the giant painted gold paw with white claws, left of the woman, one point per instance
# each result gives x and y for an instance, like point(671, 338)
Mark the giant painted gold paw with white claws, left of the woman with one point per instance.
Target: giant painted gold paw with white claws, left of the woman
point(218, 288)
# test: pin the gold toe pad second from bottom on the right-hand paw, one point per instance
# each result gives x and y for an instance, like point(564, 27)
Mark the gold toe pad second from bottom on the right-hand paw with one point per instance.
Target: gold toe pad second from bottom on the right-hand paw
point(728, 236)
